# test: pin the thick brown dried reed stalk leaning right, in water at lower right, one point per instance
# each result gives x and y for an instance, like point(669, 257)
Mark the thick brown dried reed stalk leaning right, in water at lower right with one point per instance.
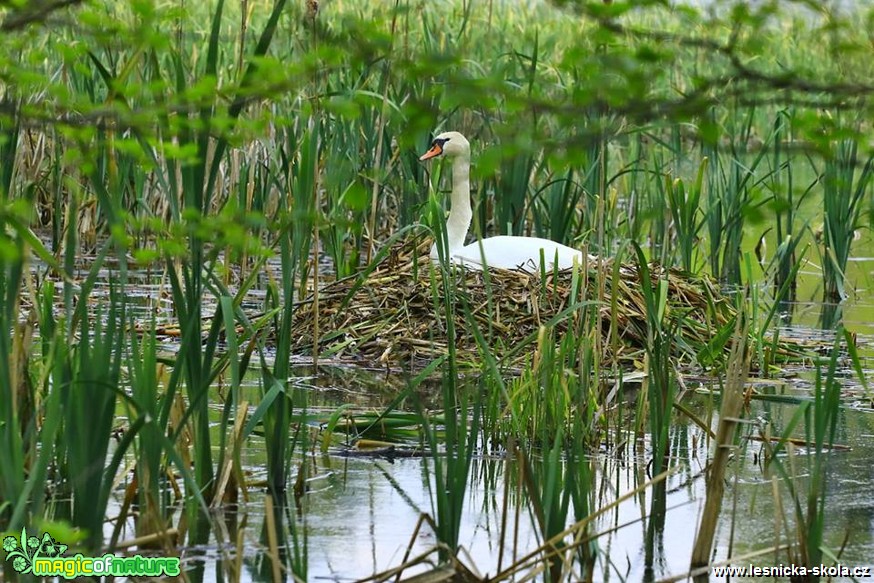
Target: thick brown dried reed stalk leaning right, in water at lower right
point(729, 417)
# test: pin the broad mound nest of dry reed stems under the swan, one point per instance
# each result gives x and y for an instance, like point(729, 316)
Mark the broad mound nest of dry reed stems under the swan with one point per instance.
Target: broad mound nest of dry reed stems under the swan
point(398, 312)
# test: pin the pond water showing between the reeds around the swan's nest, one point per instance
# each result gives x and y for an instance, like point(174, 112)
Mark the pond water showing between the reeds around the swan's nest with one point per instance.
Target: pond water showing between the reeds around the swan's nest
point(361, 512)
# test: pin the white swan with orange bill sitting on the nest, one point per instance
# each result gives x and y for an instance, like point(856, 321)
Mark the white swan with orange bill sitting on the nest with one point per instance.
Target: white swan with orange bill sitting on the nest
point(503, 251)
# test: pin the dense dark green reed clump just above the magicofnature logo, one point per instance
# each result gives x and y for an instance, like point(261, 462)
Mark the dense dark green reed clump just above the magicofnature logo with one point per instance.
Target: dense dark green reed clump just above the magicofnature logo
point(85, 355)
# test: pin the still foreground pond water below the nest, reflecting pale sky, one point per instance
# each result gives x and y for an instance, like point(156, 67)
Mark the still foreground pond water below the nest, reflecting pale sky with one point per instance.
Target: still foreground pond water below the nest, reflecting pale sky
point(362, 512)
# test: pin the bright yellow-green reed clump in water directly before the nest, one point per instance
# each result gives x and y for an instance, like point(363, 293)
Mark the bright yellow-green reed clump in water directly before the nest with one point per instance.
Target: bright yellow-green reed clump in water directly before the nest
point(545, 419)
